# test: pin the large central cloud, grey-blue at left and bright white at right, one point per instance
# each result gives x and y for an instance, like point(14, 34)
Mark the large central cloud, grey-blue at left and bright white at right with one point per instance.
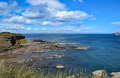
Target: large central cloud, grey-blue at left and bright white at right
point(54, 16)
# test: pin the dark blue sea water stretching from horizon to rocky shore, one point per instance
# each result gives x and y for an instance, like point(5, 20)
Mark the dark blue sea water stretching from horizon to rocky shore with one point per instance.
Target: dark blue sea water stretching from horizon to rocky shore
point(103, 53)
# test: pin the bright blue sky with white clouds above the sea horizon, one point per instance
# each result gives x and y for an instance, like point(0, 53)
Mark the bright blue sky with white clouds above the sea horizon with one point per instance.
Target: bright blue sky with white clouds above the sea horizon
point(59, 16)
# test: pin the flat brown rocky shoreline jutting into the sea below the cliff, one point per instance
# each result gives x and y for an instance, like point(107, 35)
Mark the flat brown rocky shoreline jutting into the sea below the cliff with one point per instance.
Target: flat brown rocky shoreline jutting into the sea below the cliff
point(23, 53)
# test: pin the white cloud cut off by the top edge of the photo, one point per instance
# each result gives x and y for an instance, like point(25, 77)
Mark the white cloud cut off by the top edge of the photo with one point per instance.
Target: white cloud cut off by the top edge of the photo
point(51, 3)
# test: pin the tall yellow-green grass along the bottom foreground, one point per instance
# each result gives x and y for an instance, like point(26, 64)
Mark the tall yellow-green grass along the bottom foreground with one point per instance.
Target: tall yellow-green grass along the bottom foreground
point(8, 70)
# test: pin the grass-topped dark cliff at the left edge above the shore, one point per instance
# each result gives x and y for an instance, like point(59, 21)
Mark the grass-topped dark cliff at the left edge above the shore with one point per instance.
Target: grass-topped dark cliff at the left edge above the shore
point(11, 40)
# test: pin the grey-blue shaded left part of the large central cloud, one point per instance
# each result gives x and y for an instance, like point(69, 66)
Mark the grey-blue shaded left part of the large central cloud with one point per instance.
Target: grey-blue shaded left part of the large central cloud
point(36, 12)
